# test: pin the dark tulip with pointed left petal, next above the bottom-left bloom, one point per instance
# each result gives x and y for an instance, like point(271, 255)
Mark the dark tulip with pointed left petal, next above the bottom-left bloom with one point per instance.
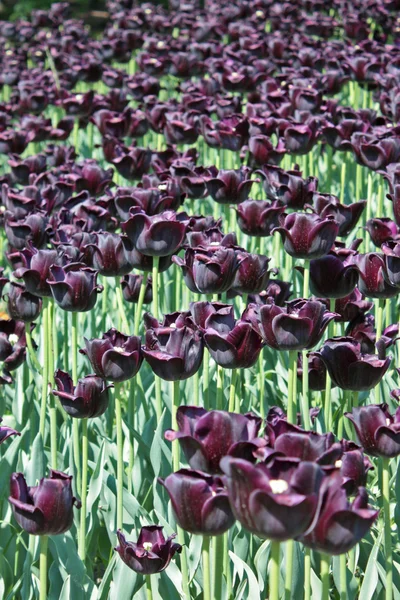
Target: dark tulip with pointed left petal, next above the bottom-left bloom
point(88, 399)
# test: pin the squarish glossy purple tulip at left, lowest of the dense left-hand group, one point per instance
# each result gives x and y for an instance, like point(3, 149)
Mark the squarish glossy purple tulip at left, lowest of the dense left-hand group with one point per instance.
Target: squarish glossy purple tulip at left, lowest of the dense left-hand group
point(74, 287)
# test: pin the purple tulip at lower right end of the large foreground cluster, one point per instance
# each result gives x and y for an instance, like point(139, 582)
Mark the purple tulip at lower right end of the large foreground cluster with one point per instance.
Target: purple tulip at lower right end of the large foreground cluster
point(340, 525)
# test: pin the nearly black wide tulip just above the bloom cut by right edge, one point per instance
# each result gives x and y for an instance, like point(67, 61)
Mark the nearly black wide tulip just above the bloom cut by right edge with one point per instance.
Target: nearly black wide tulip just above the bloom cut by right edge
point(349, 368)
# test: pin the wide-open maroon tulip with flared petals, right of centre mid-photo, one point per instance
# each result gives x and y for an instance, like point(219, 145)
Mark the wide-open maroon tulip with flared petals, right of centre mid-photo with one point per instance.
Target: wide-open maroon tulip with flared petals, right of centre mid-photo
point(298, 326)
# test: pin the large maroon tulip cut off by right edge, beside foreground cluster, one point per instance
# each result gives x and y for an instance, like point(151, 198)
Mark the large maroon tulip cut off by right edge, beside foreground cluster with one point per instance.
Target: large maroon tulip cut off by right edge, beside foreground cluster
point(377, 430)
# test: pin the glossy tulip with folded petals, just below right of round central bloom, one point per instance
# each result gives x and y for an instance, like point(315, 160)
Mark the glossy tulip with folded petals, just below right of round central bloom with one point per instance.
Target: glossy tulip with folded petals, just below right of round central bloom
point(209, 270)
